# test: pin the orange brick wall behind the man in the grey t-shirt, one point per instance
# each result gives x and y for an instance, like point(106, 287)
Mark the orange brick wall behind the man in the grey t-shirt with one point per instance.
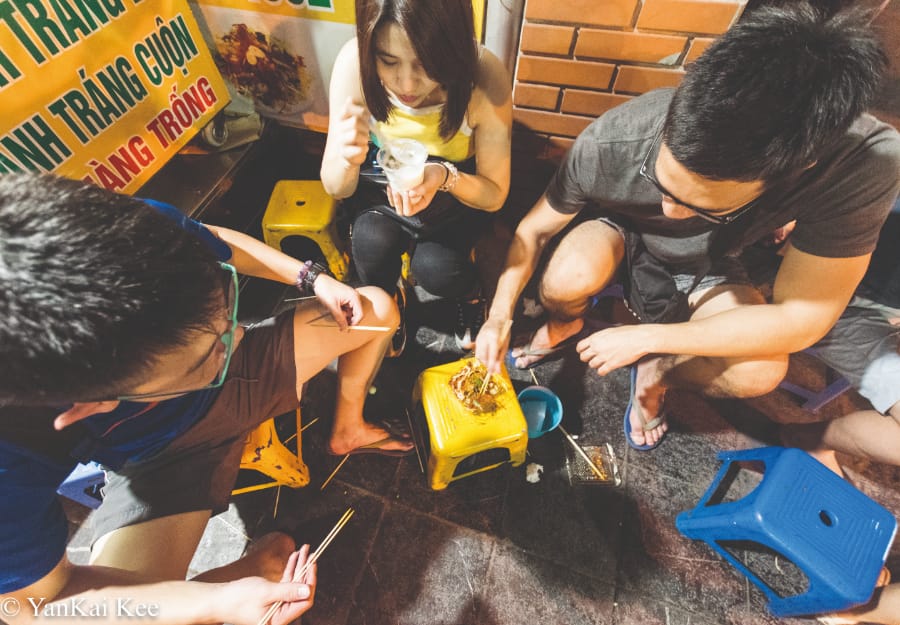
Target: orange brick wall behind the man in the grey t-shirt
point(579, 58)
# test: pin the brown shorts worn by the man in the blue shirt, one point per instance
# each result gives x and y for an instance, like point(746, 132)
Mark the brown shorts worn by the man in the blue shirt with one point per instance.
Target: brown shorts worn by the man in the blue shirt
point(197, 471)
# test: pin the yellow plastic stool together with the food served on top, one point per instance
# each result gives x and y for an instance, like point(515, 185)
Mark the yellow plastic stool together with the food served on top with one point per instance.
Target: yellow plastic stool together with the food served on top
point(472, 426)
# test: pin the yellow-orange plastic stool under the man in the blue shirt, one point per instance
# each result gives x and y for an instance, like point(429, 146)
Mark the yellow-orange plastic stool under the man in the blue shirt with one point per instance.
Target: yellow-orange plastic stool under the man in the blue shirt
point(264, 452)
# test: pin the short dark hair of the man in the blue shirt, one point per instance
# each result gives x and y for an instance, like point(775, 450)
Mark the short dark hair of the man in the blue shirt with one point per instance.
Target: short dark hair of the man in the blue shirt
point(94, 286)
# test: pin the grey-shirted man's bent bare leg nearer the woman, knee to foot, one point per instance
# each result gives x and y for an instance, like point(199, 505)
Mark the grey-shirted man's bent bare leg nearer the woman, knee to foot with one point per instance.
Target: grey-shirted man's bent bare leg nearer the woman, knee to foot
point(583, 263)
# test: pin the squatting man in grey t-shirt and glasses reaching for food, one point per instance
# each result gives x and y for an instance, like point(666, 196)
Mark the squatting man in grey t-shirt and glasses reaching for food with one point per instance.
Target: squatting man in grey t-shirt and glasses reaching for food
point(768, 126)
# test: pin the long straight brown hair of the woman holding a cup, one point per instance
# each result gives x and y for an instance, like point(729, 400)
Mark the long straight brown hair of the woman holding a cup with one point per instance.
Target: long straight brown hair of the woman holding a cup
point(442, 34)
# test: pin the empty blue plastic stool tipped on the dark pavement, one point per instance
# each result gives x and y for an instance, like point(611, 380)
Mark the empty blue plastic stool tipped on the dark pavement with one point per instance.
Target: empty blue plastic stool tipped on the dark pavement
point(837, 536)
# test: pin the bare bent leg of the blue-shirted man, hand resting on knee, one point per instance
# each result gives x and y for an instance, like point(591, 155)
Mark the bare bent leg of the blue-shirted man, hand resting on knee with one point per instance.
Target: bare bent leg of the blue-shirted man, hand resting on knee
point(359, 354)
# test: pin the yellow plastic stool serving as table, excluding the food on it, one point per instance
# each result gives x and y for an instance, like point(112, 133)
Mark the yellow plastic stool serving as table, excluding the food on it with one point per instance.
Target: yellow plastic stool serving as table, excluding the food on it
point(462, 443)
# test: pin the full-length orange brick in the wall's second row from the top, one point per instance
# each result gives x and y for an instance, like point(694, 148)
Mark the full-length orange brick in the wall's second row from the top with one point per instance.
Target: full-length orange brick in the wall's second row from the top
point(631, 46)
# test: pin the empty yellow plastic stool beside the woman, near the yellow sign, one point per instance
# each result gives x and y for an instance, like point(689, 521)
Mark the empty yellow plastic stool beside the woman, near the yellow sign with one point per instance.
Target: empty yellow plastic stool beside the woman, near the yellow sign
point(303, 208)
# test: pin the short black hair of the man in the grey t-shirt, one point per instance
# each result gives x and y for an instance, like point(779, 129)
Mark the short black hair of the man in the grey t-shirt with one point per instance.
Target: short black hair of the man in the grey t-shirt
point(774, 92)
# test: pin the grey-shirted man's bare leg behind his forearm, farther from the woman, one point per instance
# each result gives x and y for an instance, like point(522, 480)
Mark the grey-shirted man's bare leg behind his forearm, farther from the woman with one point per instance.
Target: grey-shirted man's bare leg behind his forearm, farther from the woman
point(715, 377)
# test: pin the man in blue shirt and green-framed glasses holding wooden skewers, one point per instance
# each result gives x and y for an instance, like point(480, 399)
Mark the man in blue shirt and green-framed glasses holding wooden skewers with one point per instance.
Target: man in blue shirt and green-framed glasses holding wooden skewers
point(120, 344)
